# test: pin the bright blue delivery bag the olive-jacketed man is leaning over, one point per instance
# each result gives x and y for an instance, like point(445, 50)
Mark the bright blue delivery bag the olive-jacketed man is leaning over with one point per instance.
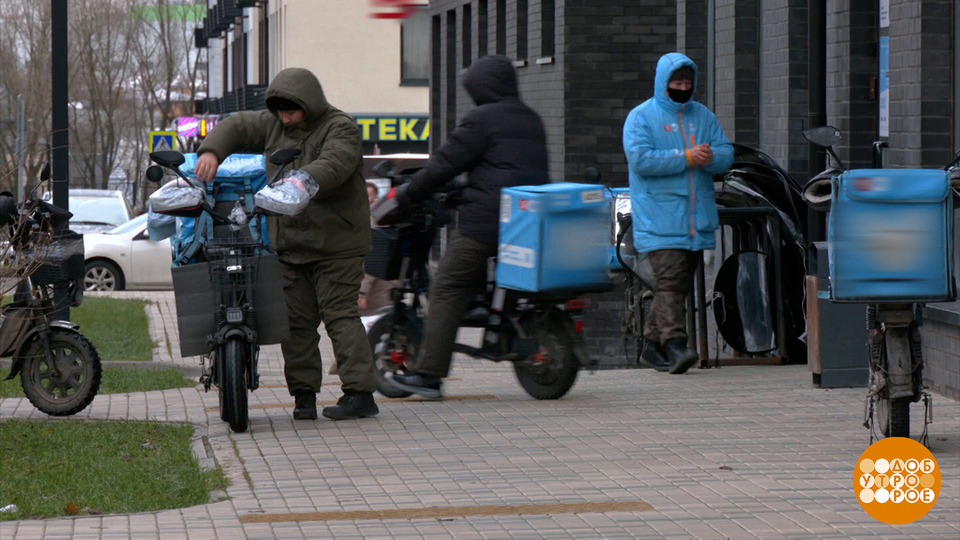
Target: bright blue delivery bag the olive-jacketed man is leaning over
point(238, 178)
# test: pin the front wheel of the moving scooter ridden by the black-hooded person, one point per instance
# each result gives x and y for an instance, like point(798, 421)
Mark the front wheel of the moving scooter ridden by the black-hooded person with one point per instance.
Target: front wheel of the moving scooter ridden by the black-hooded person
point(394, 349)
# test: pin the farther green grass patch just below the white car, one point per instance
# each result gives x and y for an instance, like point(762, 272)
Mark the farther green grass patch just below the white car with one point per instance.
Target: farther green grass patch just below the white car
point(117, 327)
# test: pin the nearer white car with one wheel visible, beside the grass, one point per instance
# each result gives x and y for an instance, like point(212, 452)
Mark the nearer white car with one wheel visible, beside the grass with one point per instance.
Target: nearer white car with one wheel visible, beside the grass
point(126, 258)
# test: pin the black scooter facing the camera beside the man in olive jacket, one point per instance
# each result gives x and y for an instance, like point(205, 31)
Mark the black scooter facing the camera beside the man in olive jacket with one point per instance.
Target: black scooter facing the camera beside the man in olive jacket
point(232, 262)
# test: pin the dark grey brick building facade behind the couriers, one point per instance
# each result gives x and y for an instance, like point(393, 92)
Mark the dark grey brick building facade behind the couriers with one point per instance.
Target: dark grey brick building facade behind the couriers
point(779, 66)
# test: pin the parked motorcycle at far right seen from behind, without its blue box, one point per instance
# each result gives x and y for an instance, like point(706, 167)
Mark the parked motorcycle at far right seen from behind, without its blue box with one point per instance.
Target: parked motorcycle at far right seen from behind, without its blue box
point(895, 349)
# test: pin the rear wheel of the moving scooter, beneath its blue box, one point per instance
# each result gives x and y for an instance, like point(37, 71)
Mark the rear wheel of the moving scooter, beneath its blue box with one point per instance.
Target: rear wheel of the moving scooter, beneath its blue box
point(551, 372)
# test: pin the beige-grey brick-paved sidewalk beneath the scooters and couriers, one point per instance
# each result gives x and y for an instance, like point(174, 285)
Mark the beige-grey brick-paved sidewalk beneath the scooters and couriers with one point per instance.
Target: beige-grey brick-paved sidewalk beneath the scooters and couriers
point(735, 452)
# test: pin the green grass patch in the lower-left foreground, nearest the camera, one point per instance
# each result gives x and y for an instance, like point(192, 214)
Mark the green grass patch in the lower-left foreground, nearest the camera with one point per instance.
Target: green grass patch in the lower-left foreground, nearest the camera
point(58, 468)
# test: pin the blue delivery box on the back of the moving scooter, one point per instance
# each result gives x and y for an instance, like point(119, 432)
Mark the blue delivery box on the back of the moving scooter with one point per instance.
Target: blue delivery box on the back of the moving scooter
point(553, 236)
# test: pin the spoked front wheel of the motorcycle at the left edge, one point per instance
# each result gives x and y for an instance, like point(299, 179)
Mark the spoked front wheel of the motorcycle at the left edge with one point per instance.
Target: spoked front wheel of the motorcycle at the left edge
point(64, 383)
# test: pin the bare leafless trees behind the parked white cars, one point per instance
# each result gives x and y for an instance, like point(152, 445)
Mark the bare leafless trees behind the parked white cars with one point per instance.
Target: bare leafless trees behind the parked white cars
point(133, 68)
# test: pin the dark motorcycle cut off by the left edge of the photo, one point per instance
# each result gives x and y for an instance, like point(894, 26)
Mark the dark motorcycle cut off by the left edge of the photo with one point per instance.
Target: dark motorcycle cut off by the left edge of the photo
point(60, 370)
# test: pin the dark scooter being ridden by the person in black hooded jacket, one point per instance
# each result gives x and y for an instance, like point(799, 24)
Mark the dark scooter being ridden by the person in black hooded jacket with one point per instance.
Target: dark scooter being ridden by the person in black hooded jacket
point(536, 332)
